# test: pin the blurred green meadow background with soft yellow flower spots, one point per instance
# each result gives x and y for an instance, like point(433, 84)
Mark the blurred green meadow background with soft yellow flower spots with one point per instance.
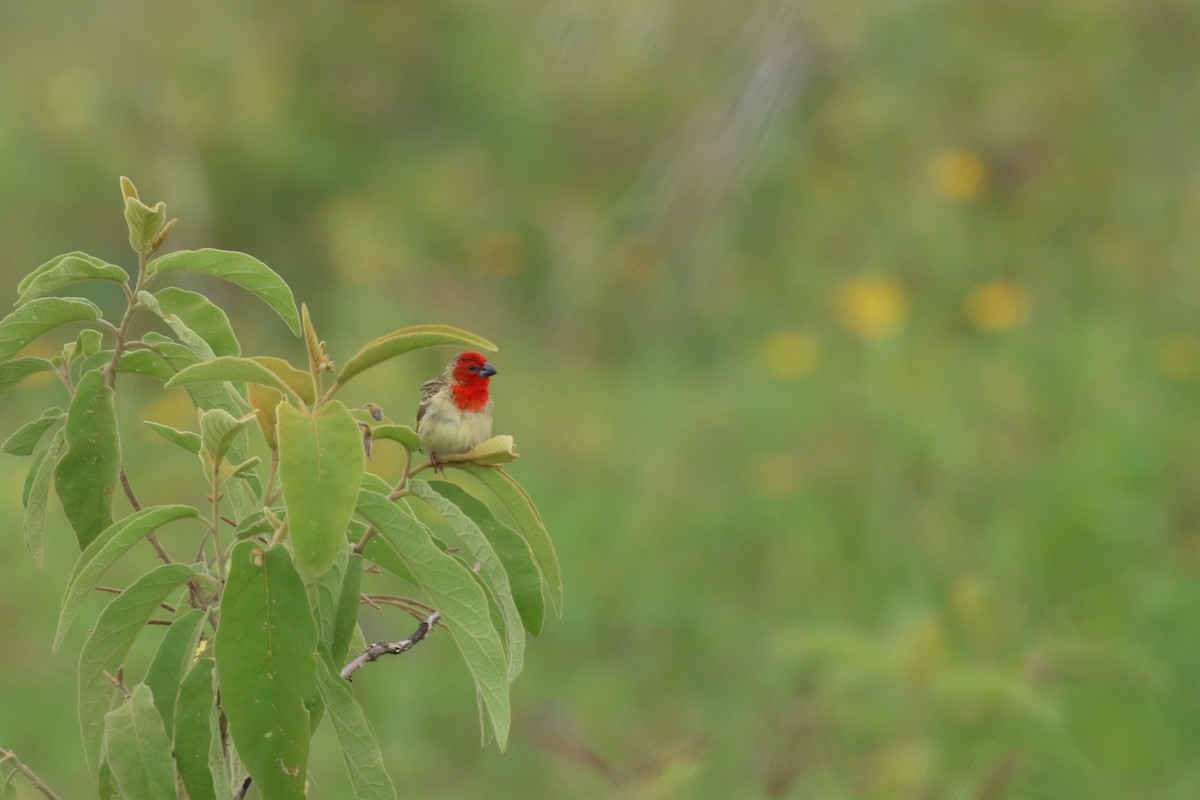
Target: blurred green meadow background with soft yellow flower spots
point(851, 348)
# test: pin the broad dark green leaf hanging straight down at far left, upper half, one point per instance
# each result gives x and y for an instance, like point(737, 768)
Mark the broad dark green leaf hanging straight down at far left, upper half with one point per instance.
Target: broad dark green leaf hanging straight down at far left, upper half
point(86, 478)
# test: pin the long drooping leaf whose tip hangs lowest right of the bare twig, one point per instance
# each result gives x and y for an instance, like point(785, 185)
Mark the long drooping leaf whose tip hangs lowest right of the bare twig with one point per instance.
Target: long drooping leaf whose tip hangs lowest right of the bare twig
point(453, 591)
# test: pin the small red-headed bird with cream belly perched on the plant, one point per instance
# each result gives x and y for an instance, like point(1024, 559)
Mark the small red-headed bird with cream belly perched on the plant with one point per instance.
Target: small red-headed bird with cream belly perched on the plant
point(457, 410)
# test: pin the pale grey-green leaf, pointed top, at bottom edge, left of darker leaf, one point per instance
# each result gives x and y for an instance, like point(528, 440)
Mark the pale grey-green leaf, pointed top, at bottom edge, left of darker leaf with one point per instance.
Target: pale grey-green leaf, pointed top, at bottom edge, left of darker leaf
point(139, 750)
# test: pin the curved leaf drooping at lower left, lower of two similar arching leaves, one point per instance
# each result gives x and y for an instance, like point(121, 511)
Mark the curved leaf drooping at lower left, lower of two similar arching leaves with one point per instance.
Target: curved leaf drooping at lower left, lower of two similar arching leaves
point(105, 651)
